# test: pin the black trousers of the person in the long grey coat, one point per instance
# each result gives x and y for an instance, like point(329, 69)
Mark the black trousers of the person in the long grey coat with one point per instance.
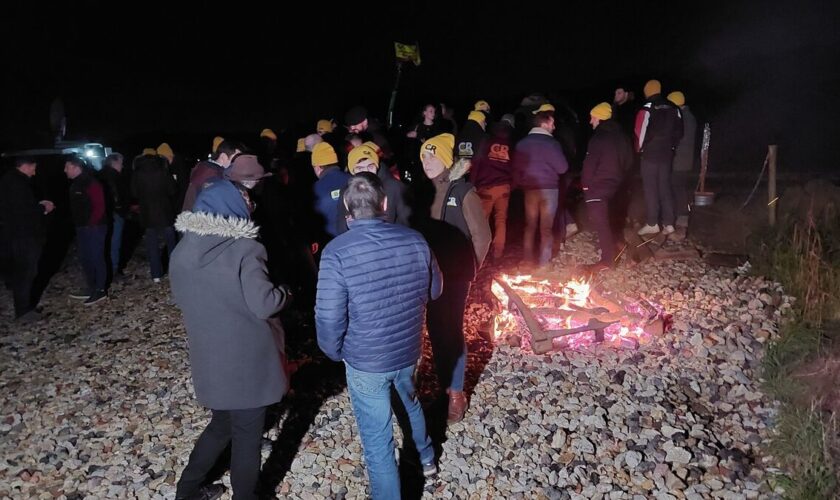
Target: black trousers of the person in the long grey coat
point(242, 430)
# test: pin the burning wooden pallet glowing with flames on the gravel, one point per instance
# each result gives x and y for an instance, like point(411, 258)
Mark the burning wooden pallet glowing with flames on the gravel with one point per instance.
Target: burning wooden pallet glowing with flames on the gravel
point(572, 310)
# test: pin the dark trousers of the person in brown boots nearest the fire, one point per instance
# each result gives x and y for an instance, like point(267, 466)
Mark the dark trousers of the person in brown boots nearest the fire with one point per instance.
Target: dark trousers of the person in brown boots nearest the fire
point(446, 333)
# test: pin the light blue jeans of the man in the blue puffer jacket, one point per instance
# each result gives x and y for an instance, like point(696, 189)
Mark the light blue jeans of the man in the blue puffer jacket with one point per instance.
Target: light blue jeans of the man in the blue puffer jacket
point(370, 394)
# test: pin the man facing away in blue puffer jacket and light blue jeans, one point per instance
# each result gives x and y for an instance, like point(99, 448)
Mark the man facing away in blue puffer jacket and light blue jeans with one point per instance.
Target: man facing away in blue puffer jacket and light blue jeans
point(373, 286)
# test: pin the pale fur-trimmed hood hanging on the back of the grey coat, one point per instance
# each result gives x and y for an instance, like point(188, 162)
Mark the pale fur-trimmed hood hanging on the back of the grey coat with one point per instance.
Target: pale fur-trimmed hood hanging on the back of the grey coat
point(208, 237)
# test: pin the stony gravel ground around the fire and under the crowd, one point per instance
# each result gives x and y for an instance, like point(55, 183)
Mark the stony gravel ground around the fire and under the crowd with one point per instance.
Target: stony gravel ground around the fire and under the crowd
point(97, 401)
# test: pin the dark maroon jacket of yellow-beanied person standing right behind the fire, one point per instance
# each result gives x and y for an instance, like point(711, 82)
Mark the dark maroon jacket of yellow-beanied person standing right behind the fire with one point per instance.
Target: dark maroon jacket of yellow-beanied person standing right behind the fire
point(608, 157)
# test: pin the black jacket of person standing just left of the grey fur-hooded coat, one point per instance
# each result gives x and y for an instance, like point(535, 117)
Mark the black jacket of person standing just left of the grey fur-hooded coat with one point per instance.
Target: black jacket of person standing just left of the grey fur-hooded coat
point(155, 191)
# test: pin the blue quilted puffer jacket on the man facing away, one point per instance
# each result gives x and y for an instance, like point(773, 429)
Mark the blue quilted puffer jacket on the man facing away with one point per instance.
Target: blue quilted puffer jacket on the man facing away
point(373, 286)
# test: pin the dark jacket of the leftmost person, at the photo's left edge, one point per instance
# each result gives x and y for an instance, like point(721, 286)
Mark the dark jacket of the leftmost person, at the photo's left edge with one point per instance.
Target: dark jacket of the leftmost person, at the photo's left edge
point(21, 213)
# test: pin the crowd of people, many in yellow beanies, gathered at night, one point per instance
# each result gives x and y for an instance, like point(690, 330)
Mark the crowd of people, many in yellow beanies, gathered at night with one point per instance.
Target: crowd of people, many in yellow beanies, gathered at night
point(345, 227)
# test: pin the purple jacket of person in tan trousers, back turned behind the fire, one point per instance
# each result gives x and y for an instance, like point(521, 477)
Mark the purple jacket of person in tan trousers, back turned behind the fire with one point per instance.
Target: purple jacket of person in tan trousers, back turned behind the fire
point(539, 162)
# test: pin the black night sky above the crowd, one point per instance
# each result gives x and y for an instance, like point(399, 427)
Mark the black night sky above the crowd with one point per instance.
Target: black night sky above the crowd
point(760, 71)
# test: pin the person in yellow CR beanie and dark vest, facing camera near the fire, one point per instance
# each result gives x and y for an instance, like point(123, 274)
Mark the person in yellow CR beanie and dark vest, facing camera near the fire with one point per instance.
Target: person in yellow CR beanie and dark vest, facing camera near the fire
point(460, 242)
